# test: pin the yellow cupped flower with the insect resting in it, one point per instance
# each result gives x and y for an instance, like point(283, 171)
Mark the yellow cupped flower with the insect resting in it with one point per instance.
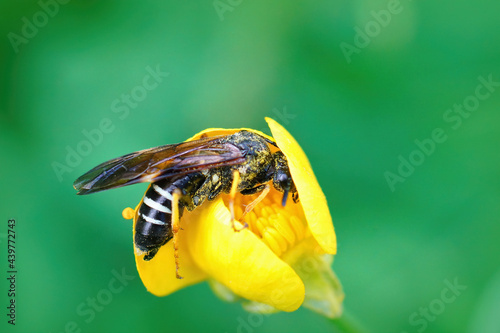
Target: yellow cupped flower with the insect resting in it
point(281, 261)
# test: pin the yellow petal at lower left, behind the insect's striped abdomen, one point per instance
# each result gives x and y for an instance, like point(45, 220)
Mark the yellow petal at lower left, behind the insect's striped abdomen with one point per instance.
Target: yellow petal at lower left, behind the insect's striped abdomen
point(158, 274)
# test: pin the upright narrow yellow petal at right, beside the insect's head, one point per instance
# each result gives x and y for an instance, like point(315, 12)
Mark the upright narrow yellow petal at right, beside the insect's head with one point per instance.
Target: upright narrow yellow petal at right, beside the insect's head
point(310, 194)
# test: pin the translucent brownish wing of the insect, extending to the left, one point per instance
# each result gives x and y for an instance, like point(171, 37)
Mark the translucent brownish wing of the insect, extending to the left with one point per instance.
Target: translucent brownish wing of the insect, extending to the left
point(160, 162)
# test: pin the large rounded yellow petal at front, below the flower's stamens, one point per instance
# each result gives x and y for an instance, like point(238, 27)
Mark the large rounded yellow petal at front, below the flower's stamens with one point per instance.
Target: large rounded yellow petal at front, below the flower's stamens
point(240, 260)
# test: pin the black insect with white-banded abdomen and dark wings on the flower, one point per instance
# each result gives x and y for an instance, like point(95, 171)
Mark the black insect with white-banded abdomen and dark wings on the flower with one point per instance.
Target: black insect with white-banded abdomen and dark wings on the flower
point(194, 171)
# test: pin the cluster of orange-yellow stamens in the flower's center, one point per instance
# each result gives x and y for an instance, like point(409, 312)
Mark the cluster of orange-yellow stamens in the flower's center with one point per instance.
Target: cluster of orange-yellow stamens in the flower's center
point(280, 228)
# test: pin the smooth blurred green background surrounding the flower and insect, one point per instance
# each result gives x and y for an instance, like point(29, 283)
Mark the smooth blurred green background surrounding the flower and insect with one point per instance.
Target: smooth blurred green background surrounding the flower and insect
point(229, 64)
